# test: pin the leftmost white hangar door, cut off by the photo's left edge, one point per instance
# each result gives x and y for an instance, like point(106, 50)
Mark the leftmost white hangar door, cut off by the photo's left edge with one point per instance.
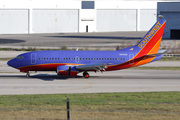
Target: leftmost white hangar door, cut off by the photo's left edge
point(14, 21)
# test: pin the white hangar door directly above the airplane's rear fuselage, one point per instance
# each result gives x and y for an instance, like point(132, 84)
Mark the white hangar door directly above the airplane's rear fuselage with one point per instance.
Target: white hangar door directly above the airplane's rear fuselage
point(116, 20)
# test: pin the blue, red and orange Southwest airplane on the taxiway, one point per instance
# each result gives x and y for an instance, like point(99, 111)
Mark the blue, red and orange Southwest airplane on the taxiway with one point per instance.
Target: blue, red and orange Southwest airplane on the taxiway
point(70, 63)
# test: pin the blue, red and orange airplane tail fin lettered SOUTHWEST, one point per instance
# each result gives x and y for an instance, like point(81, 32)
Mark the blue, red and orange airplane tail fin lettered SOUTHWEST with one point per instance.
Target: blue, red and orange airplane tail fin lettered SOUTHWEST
point(150, 43)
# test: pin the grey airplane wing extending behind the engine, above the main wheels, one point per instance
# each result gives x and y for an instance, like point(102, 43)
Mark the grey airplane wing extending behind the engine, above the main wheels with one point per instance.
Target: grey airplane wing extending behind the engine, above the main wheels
point(96, 67)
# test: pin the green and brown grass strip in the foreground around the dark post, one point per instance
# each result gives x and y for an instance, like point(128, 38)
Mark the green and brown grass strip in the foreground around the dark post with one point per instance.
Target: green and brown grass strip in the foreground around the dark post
point(137, 105)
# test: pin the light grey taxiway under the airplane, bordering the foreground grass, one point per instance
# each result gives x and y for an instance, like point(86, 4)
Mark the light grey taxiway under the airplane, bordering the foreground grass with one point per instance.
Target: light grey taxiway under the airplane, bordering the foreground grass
point(117, 81)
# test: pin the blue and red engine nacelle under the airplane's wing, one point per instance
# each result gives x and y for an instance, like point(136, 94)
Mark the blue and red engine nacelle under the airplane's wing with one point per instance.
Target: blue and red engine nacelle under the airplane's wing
point(67, 70)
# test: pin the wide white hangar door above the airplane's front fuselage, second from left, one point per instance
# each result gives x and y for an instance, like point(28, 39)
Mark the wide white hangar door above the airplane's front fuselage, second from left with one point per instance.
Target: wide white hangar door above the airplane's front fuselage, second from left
point(54, 21)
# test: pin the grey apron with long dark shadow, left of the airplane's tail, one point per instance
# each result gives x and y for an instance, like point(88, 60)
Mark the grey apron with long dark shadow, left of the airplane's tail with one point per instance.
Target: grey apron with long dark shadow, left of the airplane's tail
point(70, 39)
